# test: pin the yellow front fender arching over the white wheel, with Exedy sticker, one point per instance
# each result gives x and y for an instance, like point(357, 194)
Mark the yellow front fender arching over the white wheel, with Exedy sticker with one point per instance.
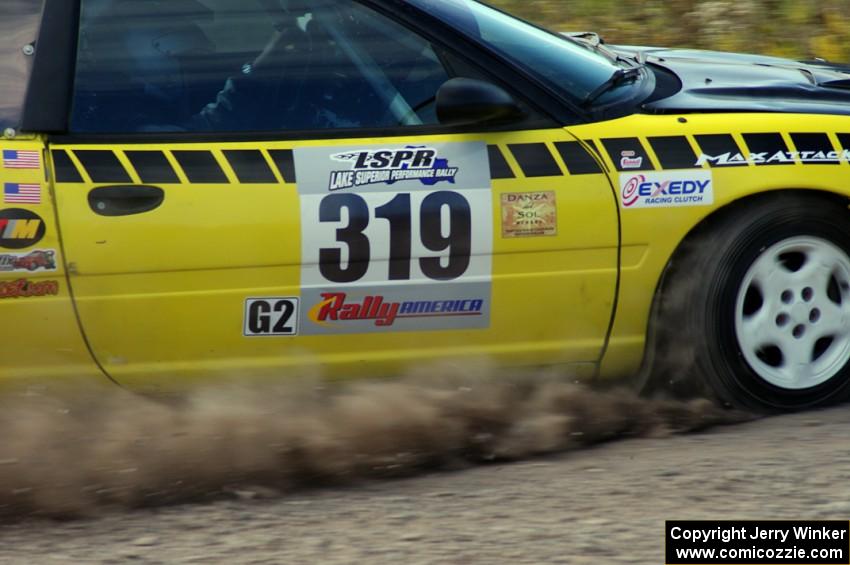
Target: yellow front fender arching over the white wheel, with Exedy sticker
point(650, 236)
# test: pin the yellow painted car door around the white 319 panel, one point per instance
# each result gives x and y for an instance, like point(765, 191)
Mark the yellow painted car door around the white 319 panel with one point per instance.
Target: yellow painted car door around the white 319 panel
point(161, 294)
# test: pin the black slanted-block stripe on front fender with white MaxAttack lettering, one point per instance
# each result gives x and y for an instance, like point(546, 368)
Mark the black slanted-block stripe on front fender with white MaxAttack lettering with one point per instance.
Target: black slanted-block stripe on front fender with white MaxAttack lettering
point(724, 150)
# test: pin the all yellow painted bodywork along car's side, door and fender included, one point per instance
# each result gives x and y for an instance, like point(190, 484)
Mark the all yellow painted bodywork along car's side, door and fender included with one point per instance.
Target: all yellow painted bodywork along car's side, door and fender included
point(160, 295)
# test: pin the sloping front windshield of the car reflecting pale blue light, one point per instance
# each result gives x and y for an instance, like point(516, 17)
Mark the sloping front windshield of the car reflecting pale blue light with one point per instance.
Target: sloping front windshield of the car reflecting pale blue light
point(561, 62)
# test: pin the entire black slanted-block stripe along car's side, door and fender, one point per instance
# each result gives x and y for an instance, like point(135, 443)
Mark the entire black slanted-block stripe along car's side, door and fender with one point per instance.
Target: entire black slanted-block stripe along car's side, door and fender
point(532, 160)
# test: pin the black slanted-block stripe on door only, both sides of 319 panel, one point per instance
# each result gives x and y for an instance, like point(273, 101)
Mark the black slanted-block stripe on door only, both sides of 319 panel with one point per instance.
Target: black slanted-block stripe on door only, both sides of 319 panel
point(251, 166)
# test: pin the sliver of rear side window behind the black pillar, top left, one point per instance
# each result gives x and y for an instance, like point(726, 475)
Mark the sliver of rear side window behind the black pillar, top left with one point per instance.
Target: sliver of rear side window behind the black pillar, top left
point(19, 20)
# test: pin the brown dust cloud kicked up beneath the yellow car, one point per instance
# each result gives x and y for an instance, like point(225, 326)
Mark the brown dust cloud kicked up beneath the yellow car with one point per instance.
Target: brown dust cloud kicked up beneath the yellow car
point(67, 454)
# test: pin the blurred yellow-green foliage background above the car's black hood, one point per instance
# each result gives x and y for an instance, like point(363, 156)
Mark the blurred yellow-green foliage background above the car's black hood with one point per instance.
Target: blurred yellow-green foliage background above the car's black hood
point(788, 28)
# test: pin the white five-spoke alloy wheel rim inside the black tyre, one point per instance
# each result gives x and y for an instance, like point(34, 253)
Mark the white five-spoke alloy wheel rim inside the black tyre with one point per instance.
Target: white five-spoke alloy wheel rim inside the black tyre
point(792, 314)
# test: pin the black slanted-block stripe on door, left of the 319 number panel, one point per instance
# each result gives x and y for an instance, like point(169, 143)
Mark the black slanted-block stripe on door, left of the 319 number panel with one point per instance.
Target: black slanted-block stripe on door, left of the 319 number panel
point(250, 166)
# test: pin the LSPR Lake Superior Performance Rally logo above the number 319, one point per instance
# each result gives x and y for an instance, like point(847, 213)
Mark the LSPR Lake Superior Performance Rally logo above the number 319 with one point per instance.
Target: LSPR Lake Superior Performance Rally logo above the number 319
point(388, 166)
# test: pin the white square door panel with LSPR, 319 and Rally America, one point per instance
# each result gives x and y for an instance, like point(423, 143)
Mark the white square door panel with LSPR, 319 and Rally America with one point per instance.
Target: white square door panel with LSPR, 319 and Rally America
point(395, 237)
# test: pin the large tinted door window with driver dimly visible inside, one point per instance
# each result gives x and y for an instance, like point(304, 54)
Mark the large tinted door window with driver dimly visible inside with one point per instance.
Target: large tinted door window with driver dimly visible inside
point(249, 65)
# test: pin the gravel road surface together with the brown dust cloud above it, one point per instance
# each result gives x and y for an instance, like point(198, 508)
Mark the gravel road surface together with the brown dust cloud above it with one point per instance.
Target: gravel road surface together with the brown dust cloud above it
point(508, 470)
